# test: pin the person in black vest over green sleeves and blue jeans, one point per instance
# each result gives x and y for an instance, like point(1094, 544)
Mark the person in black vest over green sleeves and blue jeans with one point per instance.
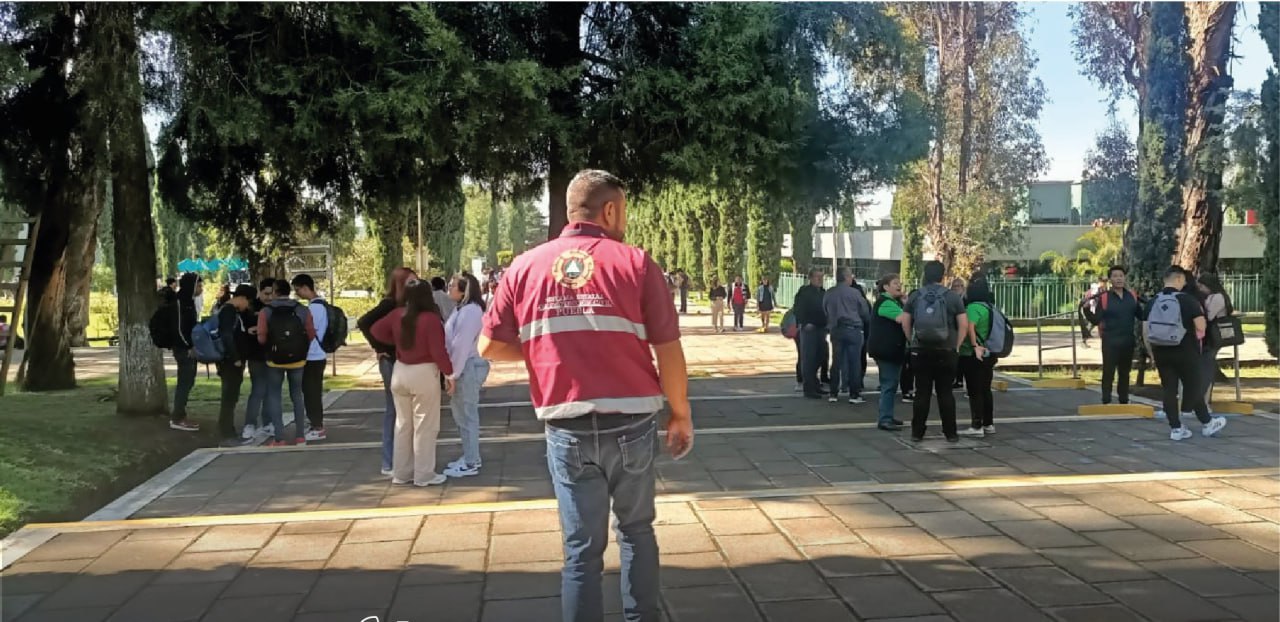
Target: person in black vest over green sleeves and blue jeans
point(888, 346)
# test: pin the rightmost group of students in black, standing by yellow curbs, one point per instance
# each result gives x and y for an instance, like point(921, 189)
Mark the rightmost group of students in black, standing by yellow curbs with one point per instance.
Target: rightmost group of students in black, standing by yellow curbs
point(1182, 331)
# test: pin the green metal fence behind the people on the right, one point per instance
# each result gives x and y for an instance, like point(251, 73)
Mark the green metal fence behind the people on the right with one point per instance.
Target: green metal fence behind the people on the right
point(1039, 296)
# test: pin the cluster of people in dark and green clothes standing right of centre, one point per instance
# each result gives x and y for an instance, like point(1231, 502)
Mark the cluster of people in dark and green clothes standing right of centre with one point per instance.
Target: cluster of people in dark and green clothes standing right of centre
point(924, 341)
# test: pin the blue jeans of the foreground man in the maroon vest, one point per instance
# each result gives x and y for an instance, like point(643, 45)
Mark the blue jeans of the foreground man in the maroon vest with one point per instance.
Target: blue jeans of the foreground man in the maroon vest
point(593, 459)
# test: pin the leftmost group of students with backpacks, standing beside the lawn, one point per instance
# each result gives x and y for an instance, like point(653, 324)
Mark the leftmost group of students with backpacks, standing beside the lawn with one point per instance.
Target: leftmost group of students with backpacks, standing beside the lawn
point(266, 332)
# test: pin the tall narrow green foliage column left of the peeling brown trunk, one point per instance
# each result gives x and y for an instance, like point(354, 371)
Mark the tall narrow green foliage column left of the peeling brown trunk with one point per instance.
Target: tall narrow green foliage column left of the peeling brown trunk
point(1151, 237)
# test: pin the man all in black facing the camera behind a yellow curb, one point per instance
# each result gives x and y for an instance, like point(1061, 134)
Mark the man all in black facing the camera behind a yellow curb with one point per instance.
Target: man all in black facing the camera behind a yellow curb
point(1116, 312)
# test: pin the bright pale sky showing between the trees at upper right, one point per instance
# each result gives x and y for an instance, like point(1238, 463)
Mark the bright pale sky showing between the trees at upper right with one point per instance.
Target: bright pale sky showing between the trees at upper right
point(1077, 109)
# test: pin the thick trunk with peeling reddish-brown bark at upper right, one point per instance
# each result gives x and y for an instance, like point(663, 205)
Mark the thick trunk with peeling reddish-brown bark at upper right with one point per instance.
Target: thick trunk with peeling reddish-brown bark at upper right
point(1210, 28)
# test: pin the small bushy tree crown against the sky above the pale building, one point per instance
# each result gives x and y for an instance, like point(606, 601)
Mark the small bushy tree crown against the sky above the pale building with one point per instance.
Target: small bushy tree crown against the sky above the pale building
point(1112, 175)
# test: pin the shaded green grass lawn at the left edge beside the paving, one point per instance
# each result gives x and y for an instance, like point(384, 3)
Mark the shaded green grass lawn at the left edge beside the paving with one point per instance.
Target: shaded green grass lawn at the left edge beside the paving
point(65, 455)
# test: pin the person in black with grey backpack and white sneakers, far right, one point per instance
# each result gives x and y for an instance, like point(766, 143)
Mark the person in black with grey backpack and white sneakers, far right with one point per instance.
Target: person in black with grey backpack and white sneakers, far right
point(1173, 332)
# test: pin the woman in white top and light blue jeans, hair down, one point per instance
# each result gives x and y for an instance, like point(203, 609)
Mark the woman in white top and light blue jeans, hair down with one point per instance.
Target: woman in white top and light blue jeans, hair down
point(470, 372)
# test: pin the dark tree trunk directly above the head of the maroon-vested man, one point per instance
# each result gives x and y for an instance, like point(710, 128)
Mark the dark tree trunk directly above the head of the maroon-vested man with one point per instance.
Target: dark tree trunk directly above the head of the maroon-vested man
point(563, 53)
